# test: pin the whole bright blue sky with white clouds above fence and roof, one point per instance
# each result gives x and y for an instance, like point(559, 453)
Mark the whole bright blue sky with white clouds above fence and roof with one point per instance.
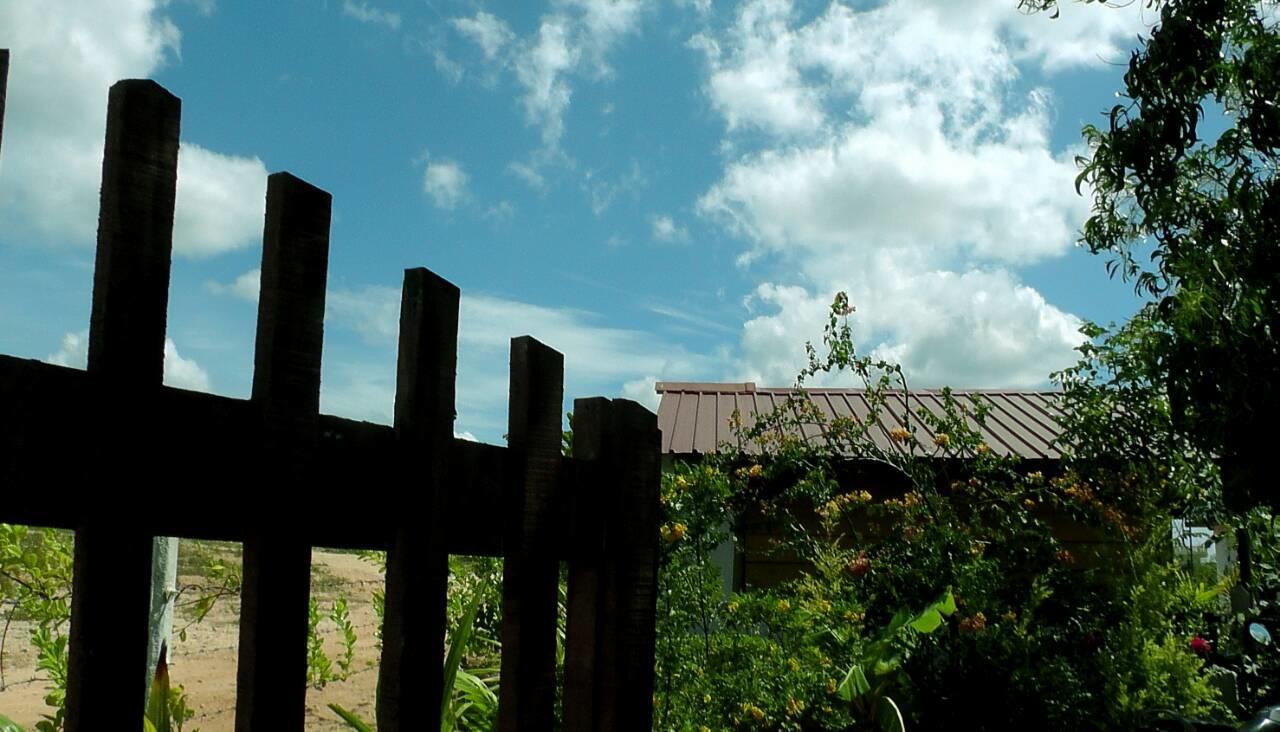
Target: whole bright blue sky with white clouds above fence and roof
point(664, 191)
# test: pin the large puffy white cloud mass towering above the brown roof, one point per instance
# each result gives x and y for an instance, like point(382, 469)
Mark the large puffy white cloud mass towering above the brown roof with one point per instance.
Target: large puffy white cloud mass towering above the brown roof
point(893, 152)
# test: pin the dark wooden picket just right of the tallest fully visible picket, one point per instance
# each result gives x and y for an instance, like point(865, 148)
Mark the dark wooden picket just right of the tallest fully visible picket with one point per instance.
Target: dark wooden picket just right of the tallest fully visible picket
point(271, 681)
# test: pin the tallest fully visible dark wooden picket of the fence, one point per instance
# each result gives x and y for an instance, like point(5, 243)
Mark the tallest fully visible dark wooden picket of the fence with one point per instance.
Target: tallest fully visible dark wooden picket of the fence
point(111, 592)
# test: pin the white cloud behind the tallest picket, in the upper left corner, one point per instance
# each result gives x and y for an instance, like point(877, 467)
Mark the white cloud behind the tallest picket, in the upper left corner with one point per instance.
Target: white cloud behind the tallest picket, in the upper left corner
point(66, 57)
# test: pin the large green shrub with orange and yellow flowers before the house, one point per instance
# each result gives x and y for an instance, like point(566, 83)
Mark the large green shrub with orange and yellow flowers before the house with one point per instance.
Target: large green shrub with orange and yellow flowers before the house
point(1041, 637)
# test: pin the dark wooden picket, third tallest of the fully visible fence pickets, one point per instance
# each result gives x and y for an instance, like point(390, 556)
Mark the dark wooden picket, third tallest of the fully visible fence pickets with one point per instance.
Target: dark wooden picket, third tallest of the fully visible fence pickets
point(412, 676)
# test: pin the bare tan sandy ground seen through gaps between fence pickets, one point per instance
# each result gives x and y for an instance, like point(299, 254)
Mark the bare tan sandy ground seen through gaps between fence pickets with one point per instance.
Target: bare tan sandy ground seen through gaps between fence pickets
point(205, 664)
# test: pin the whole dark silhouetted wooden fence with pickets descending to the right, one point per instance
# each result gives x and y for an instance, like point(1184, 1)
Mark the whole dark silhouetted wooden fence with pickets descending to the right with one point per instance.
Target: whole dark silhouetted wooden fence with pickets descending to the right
point(121, 459)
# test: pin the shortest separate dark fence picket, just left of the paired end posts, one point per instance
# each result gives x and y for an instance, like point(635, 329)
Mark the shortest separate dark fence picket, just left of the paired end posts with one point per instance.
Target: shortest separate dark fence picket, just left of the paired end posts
point(531, 565)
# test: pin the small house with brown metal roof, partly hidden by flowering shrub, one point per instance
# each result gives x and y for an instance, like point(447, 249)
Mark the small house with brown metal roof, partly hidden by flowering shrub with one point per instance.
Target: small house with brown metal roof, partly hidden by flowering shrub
point(696, 420)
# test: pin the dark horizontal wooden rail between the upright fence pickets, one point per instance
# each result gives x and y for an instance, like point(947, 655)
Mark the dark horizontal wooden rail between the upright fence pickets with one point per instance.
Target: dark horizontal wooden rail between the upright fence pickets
point(211, 440)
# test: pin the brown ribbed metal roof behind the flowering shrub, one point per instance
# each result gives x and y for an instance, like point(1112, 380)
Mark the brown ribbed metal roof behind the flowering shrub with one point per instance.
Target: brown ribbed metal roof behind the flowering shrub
point(694, 418)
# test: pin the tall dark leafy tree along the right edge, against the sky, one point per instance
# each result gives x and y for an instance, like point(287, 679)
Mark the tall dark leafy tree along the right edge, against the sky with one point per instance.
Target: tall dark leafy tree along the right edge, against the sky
point(1205, 208)
